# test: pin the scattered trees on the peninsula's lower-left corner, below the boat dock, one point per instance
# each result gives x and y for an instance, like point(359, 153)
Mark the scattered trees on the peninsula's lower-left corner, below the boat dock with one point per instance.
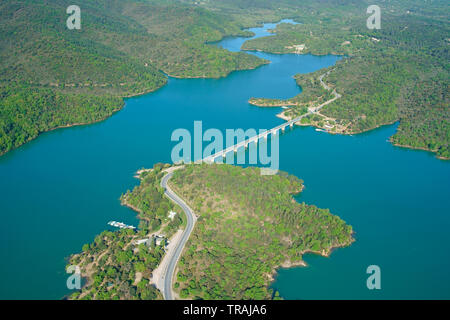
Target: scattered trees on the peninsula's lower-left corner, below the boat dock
point(115, 268)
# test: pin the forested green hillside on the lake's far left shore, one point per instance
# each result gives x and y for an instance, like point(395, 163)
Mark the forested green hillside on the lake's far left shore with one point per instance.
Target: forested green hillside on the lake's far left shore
point(51, 76)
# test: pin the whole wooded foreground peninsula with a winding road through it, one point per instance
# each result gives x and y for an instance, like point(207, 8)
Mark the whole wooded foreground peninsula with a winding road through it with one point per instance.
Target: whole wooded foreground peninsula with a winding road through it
point(248, 225)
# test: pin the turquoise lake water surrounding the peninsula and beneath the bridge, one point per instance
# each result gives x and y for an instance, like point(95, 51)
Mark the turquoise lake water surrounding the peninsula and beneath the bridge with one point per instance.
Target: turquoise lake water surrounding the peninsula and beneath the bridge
point(60, 190)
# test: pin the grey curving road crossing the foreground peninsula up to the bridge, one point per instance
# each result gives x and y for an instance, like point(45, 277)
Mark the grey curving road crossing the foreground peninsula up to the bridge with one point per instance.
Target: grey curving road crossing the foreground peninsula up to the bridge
point(191, 218)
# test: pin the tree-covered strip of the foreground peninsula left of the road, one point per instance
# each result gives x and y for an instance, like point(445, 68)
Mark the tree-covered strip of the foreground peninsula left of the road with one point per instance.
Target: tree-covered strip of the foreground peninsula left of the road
point(114, 266)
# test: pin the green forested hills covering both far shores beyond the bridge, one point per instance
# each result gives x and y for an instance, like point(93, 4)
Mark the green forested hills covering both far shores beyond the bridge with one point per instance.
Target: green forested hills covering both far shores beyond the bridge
point(124, 45)
